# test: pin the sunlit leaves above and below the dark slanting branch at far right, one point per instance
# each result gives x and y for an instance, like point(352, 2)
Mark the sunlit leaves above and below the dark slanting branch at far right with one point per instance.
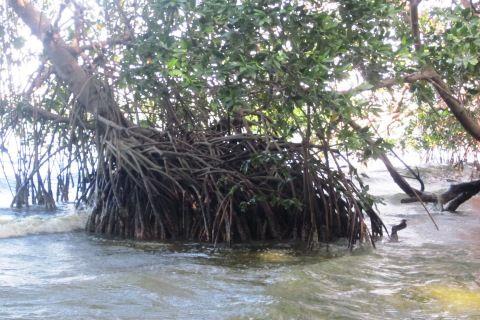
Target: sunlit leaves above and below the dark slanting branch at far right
point(451, 45)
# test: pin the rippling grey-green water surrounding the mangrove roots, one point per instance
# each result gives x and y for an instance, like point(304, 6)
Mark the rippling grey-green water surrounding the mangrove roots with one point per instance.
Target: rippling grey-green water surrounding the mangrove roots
point(51, 269)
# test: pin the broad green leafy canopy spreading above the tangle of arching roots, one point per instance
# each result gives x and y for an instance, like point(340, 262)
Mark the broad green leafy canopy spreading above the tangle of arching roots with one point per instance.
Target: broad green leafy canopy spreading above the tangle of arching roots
point(283, 62)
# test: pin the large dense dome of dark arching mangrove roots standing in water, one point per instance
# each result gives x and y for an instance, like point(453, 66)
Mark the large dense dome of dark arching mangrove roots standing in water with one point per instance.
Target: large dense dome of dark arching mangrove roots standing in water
point(212, 187)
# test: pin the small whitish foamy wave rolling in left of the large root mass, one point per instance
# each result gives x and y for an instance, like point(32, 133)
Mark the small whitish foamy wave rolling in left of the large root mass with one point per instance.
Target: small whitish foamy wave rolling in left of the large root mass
point(11, 226)
